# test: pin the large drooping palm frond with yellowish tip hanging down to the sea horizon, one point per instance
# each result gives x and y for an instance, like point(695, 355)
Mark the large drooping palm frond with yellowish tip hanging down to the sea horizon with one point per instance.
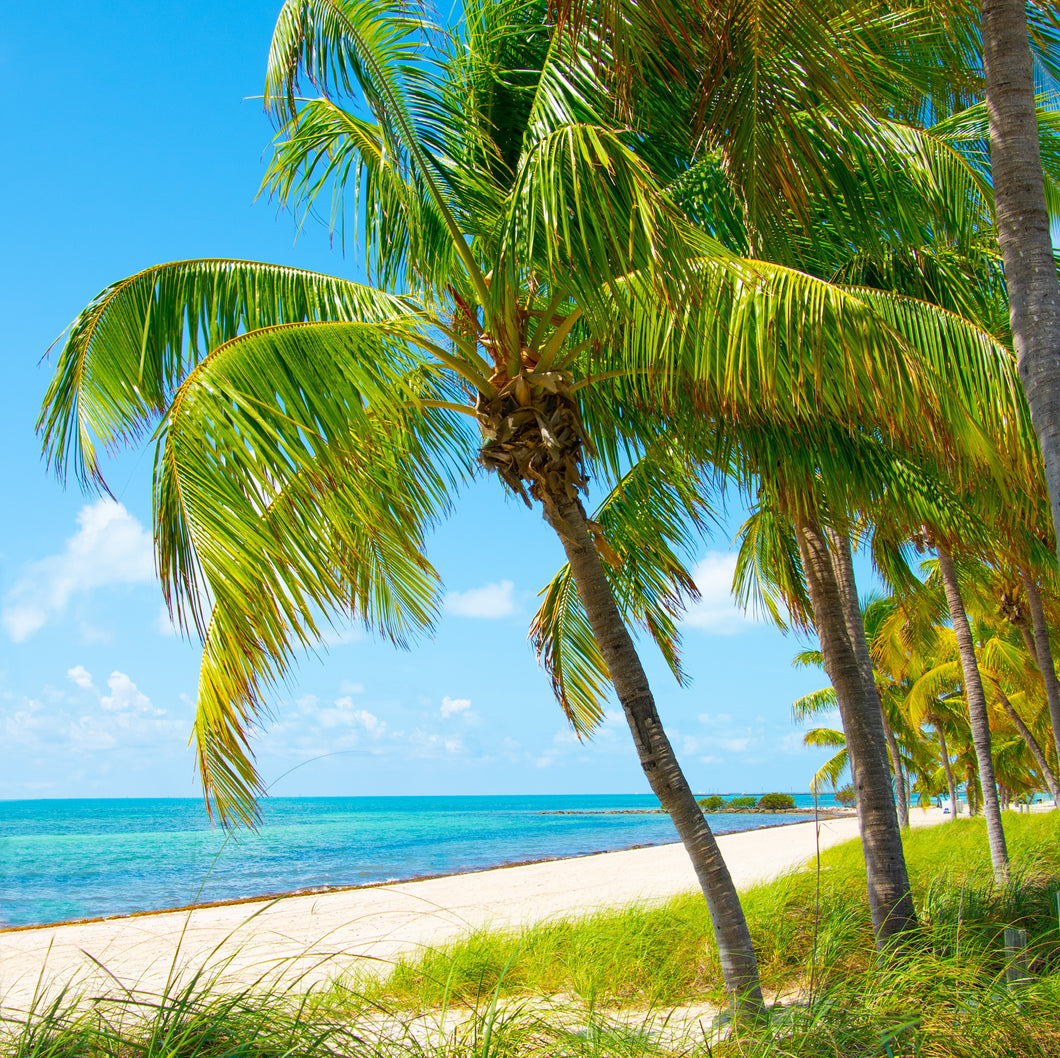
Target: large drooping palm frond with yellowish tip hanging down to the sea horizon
point(323, 434)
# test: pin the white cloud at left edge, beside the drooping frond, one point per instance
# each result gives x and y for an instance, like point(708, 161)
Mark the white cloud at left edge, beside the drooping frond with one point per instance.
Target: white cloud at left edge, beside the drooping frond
point(110, 548)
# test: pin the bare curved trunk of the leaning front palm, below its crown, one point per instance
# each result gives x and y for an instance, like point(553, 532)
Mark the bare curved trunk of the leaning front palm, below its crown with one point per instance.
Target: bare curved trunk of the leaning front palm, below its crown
point(658, 759)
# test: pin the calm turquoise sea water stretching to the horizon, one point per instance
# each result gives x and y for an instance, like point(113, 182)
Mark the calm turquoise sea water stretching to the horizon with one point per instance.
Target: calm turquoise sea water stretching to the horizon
point(62, 860)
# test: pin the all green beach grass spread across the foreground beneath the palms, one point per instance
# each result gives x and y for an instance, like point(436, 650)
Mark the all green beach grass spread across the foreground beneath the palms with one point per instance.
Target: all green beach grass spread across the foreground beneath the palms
point(603, 985)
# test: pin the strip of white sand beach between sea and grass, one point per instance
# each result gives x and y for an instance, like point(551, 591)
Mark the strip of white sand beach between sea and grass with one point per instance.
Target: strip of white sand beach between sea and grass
point(305, 940)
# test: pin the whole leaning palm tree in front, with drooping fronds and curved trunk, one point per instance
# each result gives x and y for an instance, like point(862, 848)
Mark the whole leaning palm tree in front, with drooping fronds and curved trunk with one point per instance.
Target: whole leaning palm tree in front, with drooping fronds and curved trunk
point(541, 305)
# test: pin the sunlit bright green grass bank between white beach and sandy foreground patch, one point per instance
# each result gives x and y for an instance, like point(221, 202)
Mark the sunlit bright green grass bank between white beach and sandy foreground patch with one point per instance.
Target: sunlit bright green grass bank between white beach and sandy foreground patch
point(664, 957)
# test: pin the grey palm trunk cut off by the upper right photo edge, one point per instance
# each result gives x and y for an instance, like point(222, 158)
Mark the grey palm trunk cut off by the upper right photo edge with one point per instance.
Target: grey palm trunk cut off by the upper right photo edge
point(1023, 225)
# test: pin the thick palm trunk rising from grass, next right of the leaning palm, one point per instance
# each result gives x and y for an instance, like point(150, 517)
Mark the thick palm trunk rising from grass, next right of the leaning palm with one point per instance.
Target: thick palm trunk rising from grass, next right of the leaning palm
point(890, 897)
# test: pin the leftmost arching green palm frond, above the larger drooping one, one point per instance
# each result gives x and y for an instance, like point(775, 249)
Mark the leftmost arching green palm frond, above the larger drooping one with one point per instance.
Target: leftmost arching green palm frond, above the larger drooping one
point(130, 350)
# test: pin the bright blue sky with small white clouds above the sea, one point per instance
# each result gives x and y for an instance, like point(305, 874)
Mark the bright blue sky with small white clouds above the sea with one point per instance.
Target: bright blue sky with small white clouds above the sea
point(133, 137)
